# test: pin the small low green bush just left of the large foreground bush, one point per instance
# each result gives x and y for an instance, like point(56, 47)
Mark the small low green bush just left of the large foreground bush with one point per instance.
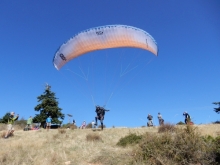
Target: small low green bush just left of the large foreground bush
point(129, 140)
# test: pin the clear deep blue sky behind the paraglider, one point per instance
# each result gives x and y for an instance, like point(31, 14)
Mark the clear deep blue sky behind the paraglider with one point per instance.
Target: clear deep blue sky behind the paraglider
point(184, 76)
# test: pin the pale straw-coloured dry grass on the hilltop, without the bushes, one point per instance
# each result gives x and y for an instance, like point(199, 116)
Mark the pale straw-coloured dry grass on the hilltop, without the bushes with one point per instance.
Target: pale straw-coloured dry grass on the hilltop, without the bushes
point(55, 147)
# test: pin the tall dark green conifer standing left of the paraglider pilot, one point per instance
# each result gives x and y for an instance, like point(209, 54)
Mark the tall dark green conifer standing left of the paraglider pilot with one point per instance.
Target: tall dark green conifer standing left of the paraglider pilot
point(48, 107)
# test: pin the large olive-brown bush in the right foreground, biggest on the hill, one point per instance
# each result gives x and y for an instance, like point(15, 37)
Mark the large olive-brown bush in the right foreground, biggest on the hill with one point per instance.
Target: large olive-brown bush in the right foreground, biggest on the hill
point(181, 147)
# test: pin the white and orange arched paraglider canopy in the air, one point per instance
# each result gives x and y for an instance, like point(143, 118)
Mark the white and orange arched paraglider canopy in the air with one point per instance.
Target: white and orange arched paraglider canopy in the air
point(103, 37)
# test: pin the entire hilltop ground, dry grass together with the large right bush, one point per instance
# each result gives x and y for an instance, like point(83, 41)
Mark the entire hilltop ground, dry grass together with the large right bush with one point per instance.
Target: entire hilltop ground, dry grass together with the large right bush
point(86, 147)
